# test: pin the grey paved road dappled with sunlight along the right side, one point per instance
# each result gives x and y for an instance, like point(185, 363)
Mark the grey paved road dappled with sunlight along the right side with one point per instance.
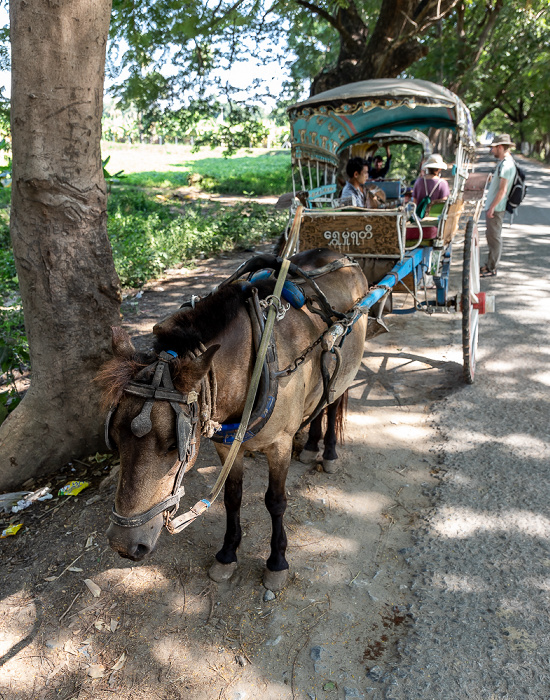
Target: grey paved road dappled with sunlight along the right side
point(481, 564)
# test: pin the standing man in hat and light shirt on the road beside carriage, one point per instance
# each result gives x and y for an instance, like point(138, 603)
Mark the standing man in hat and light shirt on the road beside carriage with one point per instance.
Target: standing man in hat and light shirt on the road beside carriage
point(495, 206)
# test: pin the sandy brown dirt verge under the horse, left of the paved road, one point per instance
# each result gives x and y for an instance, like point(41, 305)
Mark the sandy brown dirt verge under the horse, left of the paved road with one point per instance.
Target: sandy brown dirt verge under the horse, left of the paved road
point(180, 635)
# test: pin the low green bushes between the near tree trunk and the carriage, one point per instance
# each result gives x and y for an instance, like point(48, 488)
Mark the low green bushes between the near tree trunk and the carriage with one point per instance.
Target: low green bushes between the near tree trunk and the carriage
point(147, 236)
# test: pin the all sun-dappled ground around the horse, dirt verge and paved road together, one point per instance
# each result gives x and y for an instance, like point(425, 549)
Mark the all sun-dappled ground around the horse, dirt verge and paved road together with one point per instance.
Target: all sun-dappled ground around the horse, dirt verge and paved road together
point(419, 570)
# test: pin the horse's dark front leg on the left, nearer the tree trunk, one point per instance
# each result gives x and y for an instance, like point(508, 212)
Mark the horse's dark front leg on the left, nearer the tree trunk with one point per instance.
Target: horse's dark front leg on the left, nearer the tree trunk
point(226, 559)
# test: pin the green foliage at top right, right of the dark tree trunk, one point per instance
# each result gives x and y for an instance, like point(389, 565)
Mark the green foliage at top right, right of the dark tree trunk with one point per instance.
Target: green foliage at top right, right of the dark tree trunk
point(496, 55)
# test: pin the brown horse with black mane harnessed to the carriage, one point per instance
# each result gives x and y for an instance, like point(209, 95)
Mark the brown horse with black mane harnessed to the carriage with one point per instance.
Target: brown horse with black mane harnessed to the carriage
point(157, 401)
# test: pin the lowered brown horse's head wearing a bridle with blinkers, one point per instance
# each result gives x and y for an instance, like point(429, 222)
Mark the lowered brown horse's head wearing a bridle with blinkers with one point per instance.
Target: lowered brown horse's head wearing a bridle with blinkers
point(153, 421)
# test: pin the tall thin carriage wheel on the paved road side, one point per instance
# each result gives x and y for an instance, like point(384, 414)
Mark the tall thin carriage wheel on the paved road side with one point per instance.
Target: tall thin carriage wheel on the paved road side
point(470, 289)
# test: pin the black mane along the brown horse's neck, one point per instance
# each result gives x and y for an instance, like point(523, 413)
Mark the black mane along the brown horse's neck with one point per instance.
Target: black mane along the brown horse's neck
point(185, 330)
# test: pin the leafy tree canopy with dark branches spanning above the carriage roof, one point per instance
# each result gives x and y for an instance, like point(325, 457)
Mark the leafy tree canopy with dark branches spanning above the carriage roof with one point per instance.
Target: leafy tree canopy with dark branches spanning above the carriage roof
point(494, 53)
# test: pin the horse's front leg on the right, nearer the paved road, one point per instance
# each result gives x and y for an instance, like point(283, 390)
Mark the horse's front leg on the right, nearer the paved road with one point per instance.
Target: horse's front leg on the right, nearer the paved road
point(278, 455)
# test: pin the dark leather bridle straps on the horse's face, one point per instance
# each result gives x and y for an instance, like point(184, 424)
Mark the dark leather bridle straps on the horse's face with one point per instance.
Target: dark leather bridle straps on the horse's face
point(161, 388)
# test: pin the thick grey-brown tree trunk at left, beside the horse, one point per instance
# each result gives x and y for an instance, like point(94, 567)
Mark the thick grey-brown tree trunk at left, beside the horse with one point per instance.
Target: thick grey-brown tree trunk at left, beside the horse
point(69, 287)
